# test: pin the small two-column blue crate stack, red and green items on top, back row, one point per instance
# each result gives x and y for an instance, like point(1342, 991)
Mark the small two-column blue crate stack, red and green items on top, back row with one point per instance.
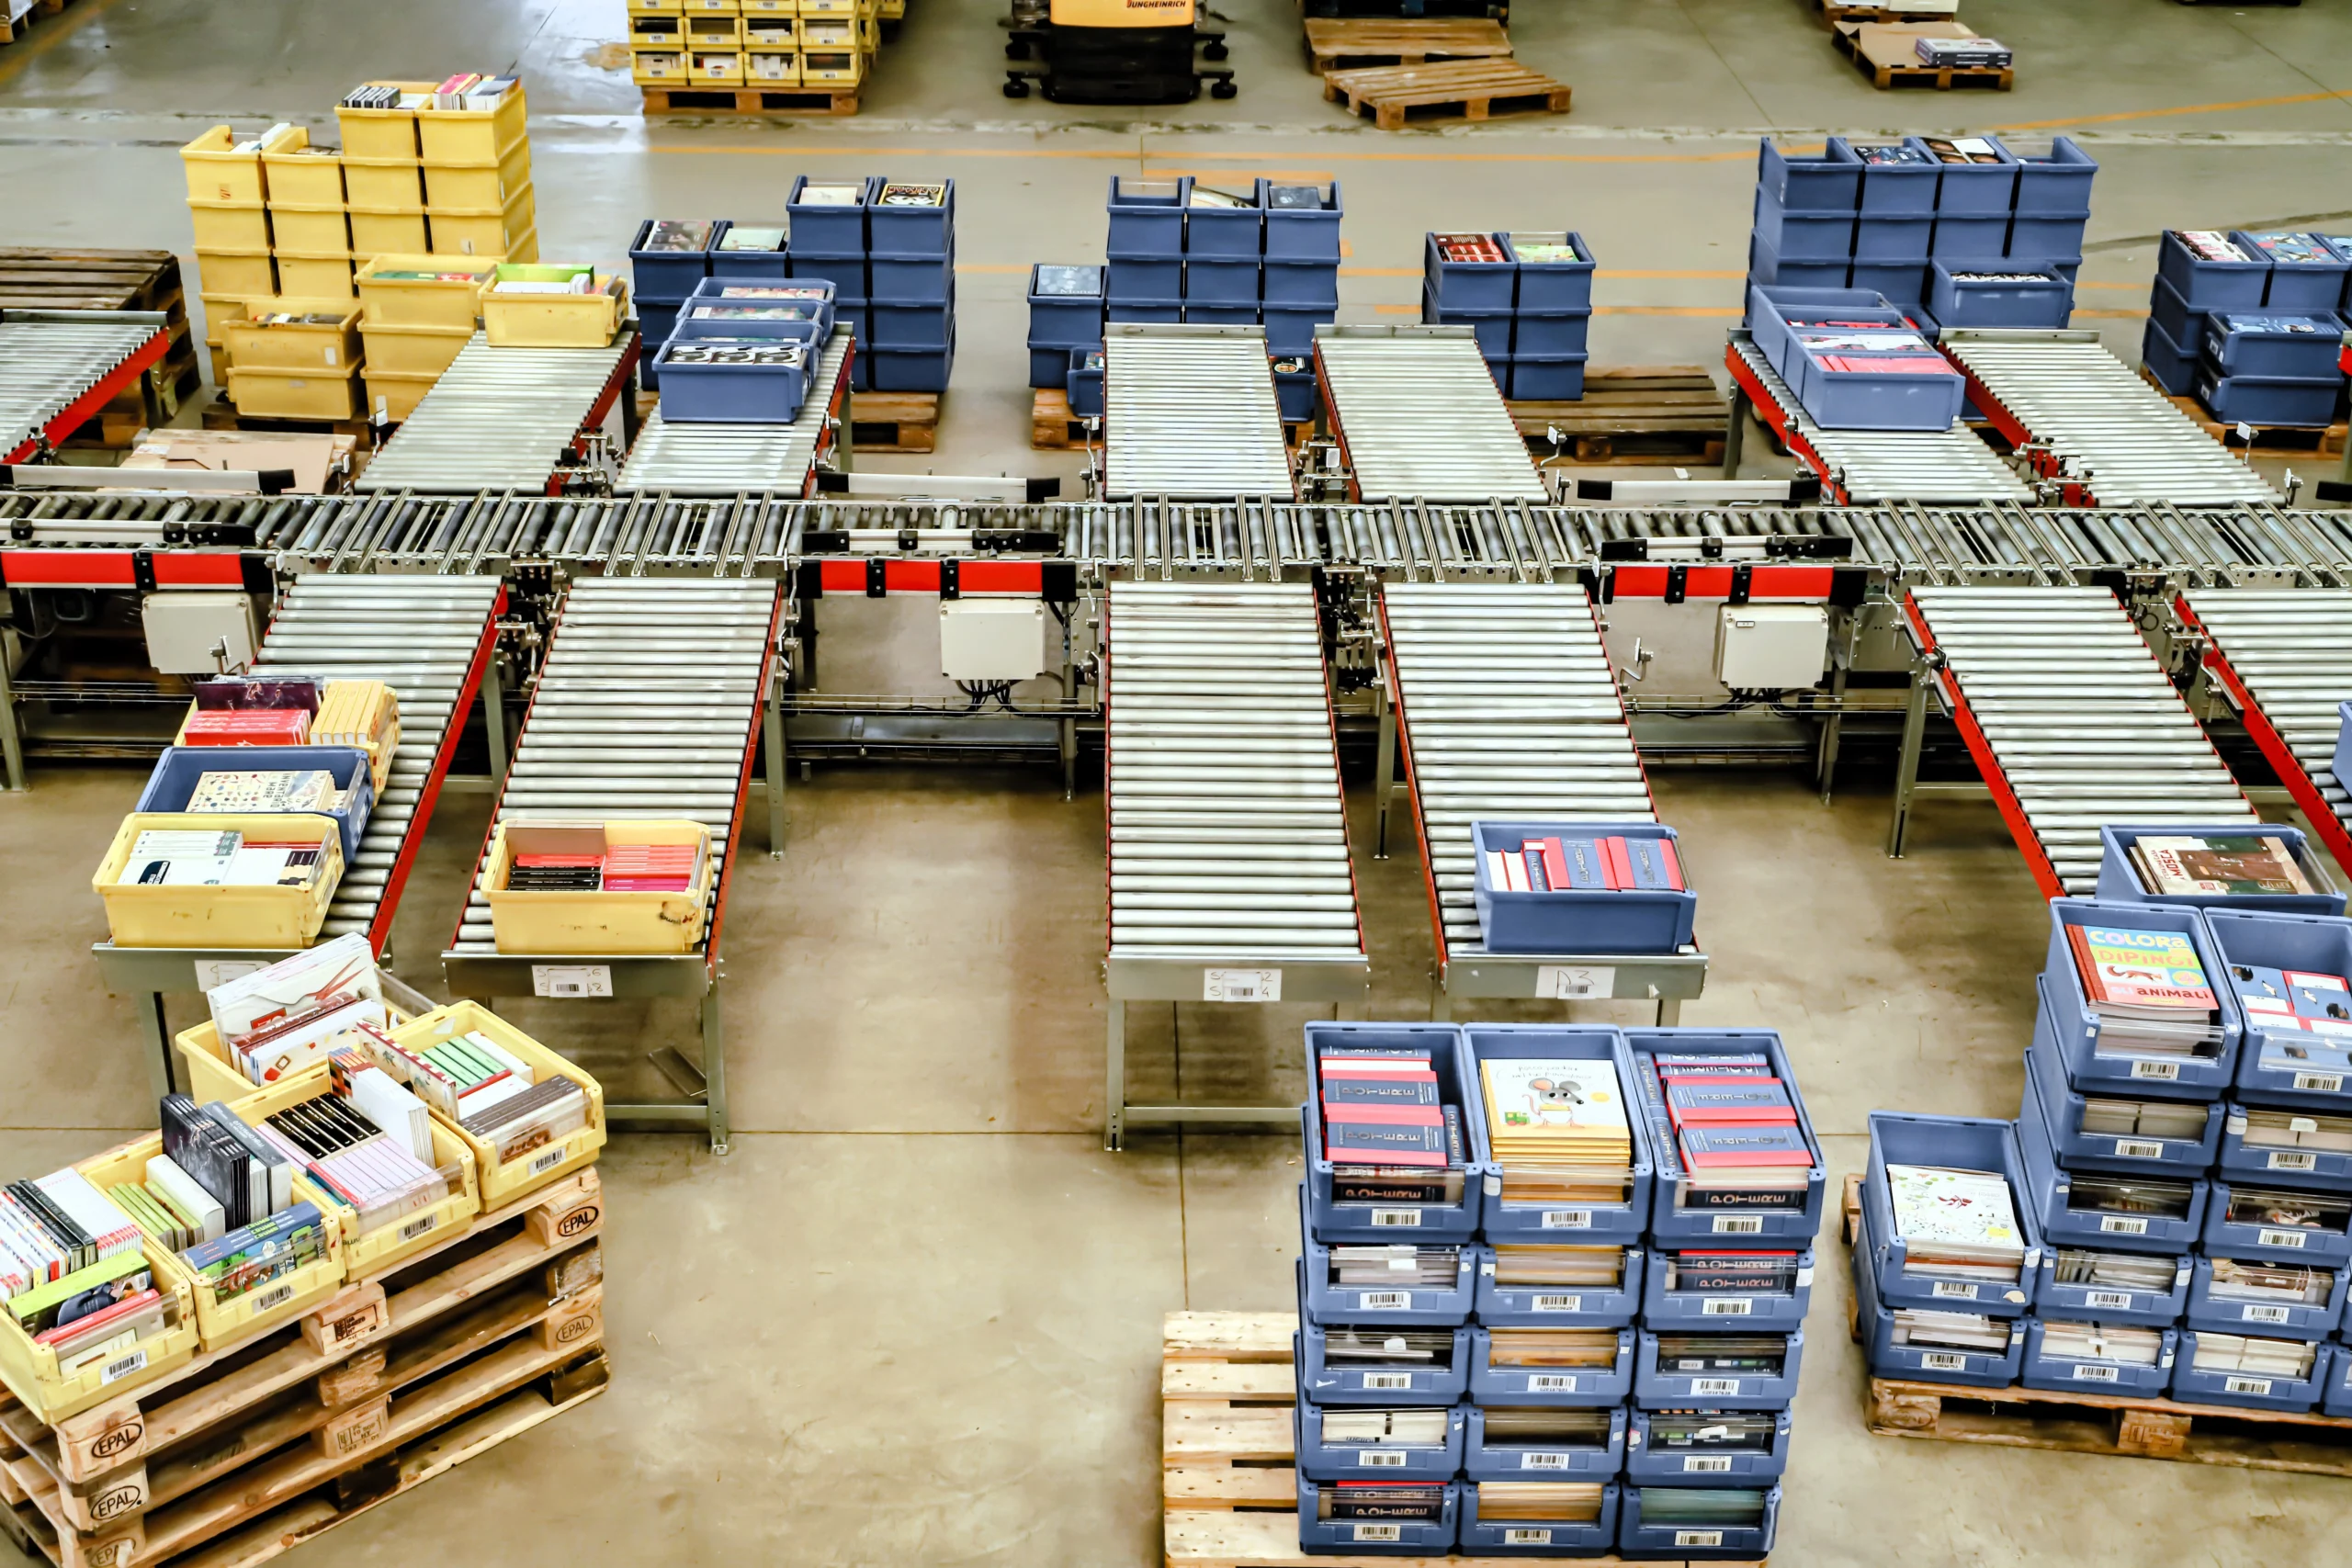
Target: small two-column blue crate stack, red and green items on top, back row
point(1530, 316)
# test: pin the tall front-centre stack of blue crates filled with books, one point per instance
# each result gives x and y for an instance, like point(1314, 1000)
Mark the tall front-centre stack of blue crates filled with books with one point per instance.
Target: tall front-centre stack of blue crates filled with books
point(1577, 1339)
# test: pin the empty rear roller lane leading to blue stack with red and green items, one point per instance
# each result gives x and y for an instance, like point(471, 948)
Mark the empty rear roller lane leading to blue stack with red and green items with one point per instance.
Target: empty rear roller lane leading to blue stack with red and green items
point(1419, 417)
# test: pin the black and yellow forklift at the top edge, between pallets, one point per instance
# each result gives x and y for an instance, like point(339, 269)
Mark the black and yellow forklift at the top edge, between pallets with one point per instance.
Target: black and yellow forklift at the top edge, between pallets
point(1114, 53)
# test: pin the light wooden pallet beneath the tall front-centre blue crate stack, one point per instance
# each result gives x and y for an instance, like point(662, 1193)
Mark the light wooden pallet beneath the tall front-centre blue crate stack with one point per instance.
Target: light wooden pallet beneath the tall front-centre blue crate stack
point(1229, 1468)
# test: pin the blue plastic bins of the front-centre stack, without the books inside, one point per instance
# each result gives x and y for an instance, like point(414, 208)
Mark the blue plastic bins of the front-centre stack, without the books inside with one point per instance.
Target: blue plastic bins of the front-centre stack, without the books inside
point(1629, 1426)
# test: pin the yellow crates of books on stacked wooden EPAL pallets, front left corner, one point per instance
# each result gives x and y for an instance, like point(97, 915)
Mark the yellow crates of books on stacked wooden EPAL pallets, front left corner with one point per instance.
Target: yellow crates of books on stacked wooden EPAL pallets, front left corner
point(258, 1400)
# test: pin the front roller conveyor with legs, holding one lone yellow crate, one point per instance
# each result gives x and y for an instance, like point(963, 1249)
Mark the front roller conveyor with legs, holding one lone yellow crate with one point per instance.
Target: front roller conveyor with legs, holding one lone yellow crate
point(648, 706)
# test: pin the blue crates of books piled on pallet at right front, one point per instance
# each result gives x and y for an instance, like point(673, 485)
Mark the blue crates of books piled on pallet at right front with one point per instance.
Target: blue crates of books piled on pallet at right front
point(2170, 1219)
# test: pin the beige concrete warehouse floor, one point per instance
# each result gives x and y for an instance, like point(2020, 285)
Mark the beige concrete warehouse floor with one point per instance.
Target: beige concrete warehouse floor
point(916, 1315)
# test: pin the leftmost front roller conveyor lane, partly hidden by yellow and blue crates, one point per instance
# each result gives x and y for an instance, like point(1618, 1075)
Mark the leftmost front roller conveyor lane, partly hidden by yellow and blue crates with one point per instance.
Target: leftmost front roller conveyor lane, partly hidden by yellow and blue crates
point(429, 638)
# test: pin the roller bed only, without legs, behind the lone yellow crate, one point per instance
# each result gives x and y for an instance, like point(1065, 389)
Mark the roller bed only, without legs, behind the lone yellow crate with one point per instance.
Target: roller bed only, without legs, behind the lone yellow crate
point(648, 706)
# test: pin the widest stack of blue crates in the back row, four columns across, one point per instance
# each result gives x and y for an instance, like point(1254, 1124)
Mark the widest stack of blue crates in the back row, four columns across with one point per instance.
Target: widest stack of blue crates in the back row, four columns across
point(1878, 217)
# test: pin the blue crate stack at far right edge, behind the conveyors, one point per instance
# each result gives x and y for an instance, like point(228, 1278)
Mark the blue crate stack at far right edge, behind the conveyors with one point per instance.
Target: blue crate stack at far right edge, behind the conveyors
point(2219, 328)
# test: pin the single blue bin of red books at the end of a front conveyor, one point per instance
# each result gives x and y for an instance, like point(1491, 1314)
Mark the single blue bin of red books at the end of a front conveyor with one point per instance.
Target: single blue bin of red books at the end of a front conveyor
point(1582, 887)
